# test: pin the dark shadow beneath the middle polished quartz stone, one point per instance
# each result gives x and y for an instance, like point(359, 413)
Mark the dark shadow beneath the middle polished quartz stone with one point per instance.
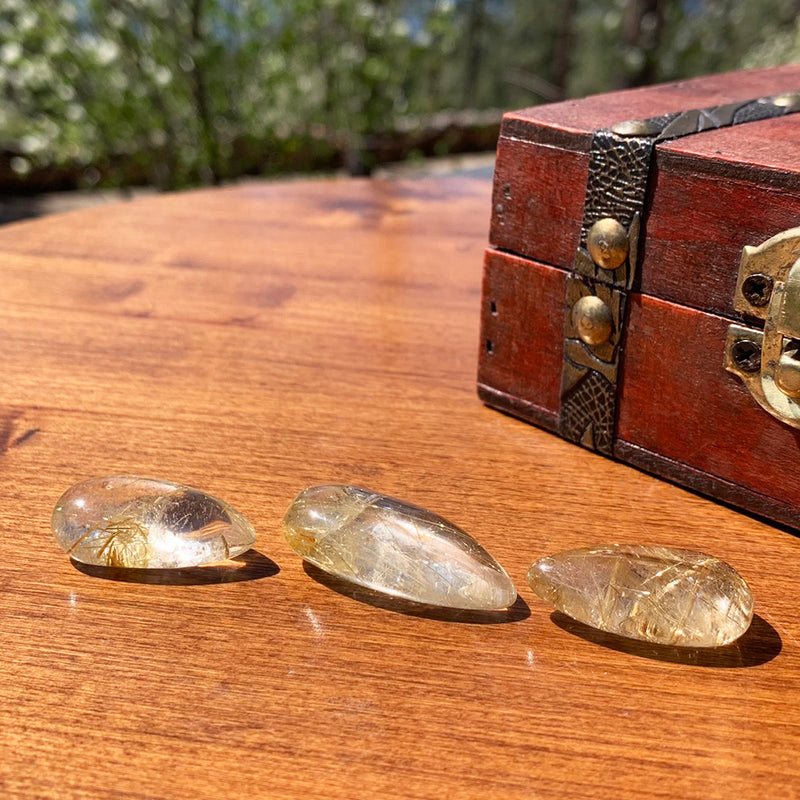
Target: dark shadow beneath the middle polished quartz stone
point(399, 605)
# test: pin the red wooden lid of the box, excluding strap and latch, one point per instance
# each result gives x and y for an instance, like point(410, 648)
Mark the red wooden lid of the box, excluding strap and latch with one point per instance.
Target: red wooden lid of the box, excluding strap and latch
point(711, 193)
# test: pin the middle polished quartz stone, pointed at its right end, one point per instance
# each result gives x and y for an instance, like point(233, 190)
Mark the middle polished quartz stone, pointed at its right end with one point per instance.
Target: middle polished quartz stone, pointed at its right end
point(396, 548)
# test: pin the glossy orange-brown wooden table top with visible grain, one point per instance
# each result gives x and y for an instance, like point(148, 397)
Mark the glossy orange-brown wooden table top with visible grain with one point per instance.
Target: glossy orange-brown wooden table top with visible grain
point(251, 341)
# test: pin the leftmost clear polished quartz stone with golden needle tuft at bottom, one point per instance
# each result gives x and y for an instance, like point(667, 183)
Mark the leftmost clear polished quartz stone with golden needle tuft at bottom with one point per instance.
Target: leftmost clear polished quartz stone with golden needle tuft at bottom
point(125, 521)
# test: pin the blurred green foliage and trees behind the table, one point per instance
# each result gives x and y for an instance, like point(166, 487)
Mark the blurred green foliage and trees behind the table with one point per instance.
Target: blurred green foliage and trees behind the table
point(182, 92)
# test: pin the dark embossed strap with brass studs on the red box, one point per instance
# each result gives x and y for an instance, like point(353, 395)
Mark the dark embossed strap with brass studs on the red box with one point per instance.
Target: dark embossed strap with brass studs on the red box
point(606, 260)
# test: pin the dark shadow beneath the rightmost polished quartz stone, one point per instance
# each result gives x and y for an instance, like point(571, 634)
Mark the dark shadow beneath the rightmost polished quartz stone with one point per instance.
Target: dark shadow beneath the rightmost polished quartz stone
point(759, 644)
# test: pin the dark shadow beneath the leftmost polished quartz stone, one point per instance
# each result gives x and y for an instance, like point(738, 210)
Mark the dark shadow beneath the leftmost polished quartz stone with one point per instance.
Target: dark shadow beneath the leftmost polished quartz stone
point(249, 566)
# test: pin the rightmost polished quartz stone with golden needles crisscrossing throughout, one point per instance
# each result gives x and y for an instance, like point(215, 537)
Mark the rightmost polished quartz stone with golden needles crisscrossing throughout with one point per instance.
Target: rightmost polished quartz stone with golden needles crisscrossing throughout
point(657, 594)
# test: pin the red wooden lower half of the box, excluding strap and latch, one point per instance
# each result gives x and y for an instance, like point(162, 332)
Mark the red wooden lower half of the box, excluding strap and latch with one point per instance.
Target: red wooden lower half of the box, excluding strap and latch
point(680, 415)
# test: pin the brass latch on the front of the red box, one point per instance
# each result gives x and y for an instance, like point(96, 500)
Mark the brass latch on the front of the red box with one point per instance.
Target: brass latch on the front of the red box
point(768, 362)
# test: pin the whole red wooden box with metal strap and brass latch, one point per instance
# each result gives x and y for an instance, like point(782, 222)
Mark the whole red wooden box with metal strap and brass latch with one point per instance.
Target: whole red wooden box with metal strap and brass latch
point(661, 359)
